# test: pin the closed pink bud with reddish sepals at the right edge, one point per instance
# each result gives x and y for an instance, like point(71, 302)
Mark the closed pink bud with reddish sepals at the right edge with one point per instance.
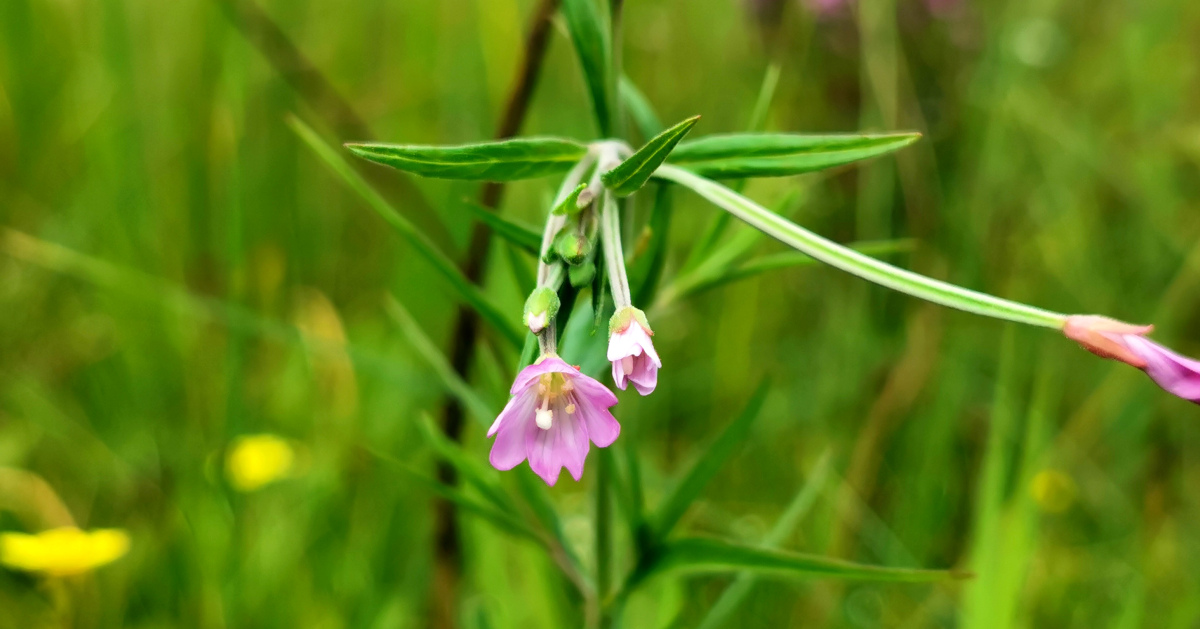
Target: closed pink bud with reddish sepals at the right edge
point(1107, 338)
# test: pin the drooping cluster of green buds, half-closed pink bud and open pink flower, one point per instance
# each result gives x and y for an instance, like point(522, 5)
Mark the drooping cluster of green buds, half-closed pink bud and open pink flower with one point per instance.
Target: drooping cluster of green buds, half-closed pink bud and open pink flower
point(557, 412)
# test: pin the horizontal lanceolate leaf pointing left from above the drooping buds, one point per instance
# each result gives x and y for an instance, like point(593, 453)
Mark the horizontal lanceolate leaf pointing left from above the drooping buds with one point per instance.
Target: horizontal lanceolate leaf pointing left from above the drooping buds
point(493, 161)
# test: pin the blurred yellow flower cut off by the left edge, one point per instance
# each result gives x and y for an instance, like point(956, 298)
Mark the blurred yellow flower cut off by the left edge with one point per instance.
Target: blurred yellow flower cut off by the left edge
point(63, 552)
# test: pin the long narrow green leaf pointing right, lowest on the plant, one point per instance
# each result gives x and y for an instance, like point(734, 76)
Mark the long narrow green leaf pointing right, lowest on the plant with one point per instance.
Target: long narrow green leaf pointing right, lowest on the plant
point(701, 555)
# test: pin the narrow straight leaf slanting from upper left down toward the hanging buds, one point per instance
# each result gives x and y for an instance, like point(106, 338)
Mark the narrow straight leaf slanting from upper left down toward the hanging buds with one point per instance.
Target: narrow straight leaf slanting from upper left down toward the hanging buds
point(445, 266)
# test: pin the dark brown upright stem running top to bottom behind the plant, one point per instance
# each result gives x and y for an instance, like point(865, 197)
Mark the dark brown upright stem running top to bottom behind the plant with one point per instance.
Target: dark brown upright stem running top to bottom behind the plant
point(466, 330)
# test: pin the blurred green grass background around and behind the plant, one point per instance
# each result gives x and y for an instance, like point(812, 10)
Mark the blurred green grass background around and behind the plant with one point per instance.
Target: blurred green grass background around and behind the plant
point(1060, 167)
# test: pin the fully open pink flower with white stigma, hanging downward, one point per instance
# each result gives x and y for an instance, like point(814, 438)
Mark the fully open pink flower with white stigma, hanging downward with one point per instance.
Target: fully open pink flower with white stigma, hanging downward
point(554, 415)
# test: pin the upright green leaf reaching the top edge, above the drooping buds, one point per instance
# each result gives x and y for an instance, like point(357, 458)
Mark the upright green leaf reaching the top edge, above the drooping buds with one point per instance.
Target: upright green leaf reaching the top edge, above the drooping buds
point(593, 45)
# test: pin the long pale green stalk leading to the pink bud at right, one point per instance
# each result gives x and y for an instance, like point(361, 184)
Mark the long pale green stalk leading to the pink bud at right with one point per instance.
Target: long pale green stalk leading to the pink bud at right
point(855, 263)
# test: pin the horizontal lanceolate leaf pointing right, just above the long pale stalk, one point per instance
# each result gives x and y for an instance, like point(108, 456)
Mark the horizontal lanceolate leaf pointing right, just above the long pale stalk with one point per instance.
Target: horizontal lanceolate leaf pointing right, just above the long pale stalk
point(741, 155)
